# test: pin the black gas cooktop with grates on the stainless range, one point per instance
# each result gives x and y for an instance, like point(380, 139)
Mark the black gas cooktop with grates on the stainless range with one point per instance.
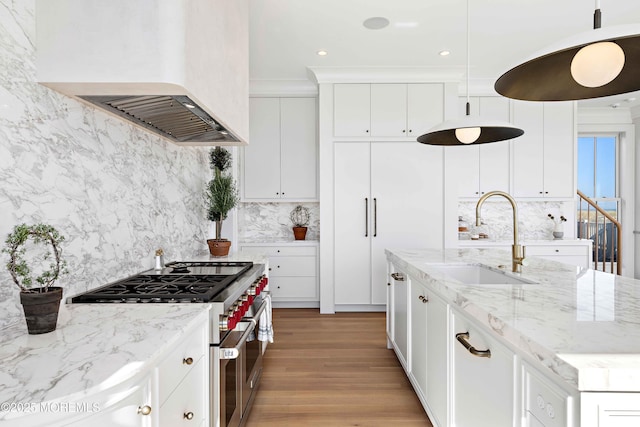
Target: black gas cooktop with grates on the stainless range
point(183, 282)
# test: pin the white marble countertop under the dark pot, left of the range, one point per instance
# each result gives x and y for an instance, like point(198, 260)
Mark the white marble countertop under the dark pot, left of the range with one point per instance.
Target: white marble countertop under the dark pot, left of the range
point(94, 346)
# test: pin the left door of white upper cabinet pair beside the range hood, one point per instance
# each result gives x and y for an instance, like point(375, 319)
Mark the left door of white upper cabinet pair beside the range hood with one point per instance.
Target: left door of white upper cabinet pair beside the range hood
point(262, 156)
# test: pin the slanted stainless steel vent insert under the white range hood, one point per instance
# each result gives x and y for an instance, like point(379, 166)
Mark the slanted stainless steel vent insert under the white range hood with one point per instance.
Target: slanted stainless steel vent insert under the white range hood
point(175, 117)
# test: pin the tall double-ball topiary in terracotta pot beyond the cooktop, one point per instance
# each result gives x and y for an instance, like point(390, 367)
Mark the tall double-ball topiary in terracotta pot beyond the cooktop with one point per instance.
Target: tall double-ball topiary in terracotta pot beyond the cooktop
point(222, 196)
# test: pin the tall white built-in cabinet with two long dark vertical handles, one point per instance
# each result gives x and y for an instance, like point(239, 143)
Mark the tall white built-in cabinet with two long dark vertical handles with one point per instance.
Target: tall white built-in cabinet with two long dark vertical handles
point(379, 187)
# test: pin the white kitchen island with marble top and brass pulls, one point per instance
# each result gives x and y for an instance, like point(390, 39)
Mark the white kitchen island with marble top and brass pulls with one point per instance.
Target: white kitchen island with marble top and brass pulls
point(573, 332)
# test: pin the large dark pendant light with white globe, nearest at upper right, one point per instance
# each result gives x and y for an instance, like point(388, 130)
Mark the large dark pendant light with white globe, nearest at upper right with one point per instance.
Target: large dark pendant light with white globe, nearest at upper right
point(600, 62)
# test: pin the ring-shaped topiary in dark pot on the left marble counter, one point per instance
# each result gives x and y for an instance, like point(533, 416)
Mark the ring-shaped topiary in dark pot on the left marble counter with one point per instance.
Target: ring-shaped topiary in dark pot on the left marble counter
point(40, 304)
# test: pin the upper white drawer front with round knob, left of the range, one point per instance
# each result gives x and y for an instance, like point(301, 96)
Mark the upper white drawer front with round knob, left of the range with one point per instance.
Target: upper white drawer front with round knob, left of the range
point(180, 362)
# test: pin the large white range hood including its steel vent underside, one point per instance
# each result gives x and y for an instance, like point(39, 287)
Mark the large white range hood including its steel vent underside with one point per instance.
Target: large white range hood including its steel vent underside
point(177, 68)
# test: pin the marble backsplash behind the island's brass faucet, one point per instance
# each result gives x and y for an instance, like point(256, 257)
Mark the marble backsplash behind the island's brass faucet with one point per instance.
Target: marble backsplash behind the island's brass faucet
point(533, 222)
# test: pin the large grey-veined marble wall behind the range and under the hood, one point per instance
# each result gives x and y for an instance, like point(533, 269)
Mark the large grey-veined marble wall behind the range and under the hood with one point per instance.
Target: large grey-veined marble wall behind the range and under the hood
point(116, 192)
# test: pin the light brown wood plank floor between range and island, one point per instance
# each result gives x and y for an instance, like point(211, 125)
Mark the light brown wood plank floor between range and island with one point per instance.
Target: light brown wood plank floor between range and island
point(333, 370)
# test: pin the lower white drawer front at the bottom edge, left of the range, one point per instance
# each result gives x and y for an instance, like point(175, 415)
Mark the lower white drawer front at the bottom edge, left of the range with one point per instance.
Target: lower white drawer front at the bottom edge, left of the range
point(186, 404)
